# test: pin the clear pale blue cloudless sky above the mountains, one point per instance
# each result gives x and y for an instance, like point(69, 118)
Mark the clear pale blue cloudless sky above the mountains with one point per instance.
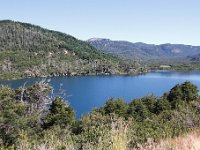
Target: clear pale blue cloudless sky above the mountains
point(149, 21)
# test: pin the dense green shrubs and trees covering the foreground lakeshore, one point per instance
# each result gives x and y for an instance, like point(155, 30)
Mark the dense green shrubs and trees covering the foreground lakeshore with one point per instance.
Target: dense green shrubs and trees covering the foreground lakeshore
point(31, 119)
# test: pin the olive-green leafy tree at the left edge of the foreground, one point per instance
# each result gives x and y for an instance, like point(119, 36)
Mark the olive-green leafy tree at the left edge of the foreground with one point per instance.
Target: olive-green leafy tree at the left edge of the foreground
point(14, 118)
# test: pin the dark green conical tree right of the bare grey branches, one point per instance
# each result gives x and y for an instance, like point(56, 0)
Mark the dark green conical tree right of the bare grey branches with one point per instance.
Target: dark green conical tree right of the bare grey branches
point(60, 114)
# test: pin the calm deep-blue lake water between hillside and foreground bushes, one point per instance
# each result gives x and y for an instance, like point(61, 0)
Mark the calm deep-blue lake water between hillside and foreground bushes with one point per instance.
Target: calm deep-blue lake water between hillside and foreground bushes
point(86, 92)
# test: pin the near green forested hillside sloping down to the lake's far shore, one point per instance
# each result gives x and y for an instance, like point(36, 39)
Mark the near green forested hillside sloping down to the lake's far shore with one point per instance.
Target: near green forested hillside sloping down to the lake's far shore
point(28, 50)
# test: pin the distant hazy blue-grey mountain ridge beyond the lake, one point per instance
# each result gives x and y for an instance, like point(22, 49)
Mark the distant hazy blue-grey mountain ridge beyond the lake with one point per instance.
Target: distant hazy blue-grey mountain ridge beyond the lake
point(142, 51)
